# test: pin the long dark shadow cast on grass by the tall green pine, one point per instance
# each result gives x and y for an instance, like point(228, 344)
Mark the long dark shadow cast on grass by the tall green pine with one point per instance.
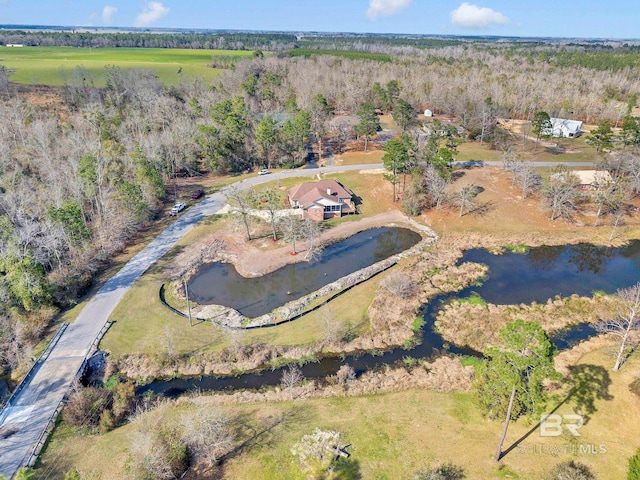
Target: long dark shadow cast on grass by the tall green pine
point(587, 383)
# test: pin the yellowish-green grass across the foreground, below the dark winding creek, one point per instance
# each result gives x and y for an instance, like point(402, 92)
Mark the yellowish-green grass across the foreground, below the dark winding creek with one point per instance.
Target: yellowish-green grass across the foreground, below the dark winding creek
point(395, 434)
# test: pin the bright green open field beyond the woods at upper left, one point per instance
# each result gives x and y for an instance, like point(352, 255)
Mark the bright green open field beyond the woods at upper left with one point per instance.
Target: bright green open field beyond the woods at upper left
point(55, 65)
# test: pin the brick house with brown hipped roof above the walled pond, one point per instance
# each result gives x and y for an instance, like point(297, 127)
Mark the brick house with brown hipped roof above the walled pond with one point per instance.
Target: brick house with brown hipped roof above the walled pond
point(322, 199)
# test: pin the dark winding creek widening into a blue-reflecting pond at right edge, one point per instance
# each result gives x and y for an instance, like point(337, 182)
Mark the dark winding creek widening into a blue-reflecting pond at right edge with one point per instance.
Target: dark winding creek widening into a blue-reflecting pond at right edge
point(513, 278)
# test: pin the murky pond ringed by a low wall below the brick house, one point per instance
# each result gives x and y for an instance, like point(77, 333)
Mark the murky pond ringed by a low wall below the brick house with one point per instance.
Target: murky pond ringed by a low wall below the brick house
point(220, 283)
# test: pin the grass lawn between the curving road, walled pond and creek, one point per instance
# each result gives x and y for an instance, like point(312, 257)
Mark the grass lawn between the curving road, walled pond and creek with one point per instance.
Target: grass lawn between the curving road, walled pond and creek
point(142, 324)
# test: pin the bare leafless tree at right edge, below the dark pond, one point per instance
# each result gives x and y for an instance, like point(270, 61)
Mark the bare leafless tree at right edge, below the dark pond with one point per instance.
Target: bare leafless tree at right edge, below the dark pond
point(625, 323)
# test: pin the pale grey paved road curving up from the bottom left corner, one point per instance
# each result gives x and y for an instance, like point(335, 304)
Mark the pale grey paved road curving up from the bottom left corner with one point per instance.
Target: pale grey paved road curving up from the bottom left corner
point(25, 419)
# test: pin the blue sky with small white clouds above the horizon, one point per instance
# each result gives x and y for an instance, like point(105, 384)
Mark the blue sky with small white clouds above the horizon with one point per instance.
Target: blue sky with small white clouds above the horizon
point(584, 19)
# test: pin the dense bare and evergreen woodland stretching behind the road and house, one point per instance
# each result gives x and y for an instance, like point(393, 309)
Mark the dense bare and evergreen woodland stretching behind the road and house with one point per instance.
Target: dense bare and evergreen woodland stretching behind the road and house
point(76, 186)
